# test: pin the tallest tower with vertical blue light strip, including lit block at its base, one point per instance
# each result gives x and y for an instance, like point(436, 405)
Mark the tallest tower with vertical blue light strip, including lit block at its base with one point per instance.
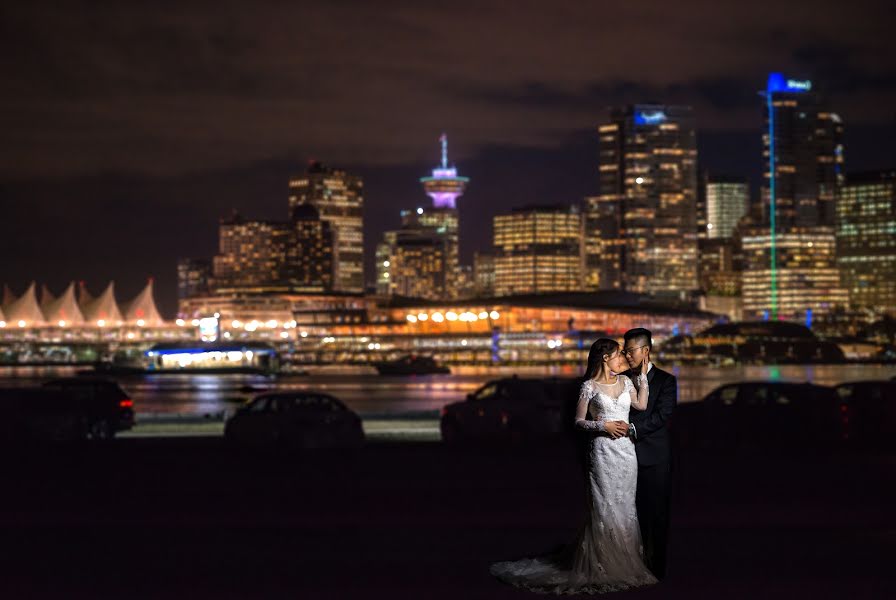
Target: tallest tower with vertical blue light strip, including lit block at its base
point(803, 161)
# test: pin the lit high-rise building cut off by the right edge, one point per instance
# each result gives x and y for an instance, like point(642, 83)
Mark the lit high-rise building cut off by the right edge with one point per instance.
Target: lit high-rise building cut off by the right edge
point(866, 240)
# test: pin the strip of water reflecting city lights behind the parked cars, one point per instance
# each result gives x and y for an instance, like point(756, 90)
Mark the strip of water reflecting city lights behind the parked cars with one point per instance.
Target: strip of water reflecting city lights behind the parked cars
point(371, 394)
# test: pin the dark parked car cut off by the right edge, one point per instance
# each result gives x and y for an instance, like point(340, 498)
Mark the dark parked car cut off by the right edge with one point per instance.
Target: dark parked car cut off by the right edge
point(869, 411)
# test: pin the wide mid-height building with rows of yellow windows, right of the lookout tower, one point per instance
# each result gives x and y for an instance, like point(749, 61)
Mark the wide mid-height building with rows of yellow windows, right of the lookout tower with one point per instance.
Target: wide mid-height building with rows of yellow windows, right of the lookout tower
point(538, 250)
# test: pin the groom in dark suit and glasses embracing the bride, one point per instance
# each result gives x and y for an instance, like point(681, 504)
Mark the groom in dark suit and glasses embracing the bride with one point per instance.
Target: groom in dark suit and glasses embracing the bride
point(649, 430)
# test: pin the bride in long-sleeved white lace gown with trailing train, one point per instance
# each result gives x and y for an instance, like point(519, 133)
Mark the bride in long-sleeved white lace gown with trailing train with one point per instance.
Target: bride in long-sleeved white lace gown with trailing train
point(607, 555)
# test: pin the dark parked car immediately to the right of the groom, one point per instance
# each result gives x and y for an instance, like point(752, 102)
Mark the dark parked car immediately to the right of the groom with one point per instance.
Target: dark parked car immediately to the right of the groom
point(761, 414)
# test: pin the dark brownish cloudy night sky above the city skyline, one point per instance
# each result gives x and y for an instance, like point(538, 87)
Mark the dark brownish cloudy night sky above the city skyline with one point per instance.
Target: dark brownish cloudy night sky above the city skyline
point(128, 128)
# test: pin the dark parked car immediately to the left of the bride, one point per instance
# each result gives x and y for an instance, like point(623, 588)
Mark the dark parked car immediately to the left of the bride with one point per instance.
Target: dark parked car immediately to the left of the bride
point(513, 408)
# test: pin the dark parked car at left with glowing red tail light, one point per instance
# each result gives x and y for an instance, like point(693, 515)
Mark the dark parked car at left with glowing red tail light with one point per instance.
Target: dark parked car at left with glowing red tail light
point(106, 407)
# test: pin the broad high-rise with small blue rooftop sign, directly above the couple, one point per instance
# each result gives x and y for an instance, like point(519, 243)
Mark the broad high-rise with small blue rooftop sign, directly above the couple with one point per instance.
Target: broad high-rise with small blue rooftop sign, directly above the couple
point(641, 230)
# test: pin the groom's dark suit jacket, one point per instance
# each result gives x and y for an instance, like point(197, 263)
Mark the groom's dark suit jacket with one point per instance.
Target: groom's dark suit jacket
point(652, 443)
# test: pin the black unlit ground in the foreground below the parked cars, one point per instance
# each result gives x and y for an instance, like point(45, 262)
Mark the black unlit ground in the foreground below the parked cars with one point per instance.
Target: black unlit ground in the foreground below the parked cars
point(192, 518)
